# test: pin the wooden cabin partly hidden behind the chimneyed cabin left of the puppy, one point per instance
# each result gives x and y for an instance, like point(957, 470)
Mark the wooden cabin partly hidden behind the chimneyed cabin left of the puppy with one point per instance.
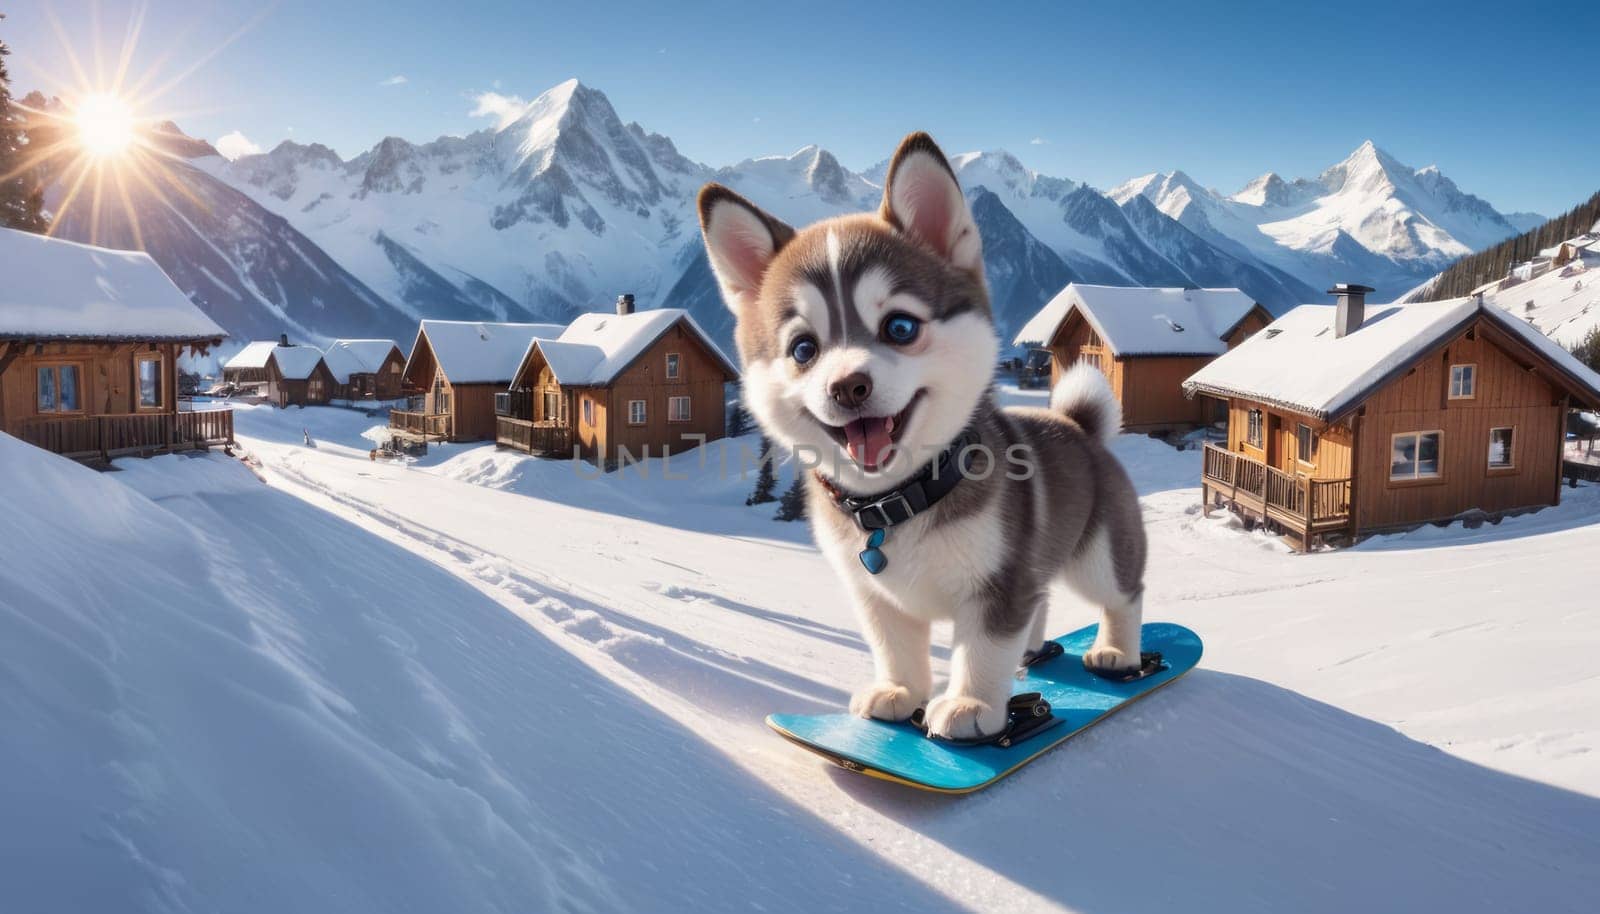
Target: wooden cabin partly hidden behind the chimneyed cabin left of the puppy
point(454, 374)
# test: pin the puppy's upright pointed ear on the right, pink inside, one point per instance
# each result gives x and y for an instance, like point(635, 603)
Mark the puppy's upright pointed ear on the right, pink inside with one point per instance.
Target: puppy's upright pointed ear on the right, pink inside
point(922, 199)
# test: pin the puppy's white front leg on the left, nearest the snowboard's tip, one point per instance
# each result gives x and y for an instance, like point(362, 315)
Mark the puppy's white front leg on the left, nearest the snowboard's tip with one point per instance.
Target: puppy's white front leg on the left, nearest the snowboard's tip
point(900, 655)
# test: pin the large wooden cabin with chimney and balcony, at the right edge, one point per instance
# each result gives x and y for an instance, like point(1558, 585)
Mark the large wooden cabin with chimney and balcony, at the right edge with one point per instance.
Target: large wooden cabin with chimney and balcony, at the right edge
point(1351, 419)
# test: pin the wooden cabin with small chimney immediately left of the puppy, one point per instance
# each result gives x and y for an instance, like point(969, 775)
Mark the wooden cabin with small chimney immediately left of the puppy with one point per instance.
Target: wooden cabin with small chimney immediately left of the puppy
point(617, 388)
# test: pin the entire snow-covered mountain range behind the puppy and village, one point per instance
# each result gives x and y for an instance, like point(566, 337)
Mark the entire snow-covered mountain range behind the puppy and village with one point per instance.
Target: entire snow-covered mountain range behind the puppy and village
point(567, 206)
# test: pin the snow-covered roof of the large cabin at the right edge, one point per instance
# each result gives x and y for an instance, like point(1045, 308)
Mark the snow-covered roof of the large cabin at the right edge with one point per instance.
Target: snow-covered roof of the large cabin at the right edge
point(1298, 363)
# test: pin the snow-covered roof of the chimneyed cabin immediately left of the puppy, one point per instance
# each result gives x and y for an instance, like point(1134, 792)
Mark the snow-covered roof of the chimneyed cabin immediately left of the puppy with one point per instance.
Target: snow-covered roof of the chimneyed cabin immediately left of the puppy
point(596, 348)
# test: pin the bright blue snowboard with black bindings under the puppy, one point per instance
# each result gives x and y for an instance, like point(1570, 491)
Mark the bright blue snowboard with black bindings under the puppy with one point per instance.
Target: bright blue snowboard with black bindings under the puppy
point(902, 753)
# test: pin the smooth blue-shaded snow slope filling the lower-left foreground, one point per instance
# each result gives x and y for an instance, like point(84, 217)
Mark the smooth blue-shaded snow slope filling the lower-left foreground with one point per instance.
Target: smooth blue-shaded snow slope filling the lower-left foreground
point(215, 716)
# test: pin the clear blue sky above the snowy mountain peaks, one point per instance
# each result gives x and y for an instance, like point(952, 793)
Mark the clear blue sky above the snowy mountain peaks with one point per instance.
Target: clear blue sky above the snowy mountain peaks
point(1094, 92)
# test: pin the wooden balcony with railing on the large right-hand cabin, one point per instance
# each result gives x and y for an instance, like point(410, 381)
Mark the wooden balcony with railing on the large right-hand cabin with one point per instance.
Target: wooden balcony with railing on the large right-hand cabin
point(1300, 505)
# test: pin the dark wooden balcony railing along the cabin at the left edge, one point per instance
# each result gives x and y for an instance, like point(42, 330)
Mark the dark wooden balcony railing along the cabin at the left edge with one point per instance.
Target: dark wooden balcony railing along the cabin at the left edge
point(105, 438)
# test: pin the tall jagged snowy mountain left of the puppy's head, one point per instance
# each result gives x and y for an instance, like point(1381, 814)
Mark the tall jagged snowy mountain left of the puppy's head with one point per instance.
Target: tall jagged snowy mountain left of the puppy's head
point(535, 220)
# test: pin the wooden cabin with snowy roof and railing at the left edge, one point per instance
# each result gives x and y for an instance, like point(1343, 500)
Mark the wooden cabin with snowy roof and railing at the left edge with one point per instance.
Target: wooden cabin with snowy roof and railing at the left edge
point(90, 342)
